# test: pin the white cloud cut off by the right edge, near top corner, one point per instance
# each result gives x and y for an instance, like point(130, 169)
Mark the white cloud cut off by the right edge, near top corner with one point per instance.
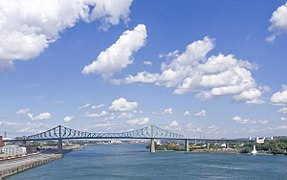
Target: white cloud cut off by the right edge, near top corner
point(278, 22)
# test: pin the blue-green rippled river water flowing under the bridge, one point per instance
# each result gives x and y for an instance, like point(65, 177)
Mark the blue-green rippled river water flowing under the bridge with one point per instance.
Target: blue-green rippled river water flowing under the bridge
point(133, 161)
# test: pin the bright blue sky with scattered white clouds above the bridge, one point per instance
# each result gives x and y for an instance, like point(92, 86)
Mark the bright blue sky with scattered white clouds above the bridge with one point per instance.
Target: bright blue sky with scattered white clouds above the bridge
point(215, 68)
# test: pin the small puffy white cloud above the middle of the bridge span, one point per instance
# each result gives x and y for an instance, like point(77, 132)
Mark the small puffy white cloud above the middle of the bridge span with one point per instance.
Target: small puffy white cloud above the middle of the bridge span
point(122, 104)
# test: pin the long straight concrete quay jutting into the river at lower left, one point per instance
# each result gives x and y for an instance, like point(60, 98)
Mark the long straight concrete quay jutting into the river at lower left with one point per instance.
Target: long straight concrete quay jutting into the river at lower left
point(14, 166)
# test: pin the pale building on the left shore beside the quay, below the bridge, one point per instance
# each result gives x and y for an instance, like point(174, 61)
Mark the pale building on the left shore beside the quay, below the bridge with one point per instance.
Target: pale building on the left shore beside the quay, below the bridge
point(12, 151)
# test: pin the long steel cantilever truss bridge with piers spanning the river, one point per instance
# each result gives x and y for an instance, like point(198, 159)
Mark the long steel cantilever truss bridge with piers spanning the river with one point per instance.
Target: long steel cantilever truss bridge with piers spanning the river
point(61, 133)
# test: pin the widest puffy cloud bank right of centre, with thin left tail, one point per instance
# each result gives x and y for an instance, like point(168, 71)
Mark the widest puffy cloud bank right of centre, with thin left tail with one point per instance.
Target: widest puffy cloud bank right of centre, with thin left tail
point(191, 71)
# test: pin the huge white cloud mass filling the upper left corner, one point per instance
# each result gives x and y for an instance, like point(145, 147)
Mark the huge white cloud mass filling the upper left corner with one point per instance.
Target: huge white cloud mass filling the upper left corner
point(28, 27)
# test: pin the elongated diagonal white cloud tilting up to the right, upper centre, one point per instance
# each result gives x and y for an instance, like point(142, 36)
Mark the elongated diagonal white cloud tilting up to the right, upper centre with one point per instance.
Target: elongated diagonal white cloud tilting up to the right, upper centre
point(119, 55)
